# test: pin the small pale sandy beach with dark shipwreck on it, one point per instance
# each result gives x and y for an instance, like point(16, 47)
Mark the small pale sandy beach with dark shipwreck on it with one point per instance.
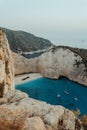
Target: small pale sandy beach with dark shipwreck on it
point(19, 79)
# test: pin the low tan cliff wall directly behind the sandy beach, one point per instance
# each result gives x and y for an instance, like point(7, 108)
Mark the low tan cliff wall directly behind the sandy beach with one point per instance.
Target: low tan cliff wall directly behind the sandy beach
point(23, 65)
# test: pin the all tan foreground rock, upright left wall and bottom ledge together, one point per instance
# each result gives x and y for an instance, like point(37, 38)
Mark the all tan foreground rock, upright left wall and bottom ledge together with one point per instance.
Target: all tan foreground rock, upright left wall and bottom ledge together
point(19, 112)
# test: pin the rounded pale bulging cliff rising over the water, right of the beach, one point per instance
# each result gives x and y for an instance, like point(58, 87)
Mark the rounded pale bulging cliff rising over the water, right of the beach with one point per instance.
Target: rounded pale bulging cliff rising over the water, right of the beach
point(63, 61)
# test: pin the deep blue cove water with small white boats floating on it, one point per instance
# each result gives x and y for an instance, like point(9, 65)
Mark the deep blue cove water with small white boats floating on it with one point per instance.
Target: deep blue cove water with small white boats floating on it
point(57, 92)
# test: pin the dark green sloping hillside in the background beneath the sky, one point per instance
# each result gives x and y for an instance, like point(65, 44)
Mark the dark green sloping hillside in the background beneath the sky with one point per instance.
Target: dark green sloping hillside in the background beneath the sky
point(26, 42)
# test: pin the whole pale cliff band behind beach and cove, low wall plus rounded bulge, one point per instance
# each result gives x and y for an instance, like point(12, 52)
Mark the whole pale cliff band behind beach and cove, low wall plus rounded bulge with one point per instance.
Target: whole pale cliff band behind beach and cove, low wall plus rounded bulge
point(59, 61)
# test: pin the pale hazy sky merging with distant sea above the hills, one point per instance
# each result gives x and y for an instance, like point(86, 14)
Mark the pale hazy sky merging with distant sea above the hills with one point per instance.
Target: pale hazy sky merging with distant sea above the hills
point(63, 22)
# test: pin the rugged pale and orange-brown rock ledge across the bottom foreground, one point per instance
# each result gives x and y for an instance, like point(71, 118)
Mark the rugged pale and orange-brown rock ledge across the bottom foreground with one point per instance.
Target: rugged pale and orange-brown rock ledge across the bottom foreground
point(19, 112)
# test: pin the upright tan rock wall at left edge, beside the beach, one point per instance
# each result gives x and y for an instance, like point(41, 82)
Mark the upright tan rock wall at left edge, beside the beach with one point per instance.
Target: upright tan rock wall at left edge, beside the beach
point(6, 66)
